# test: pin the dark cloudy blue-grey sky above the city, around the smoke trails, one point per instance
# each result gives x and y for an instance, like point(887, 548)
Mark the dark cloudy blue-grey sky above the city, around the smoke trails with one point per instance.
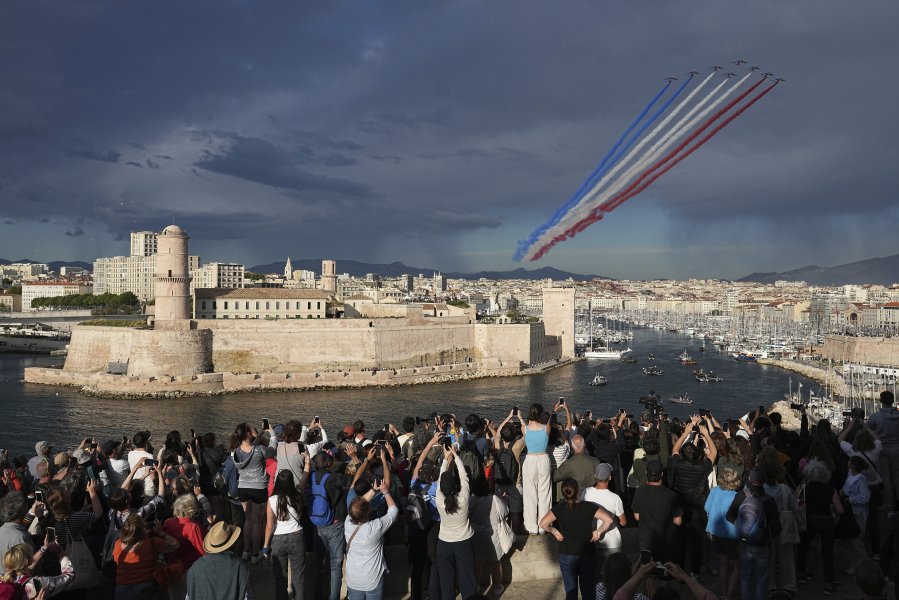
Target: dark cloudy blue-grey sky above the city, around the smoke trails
point(441, 133)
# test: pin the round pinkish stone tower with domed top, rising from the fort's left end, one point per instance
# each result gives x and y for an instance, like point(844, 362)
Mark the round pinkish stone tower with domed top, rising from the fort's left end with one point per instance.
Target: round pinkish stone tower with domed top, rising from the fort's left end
point(172, 275)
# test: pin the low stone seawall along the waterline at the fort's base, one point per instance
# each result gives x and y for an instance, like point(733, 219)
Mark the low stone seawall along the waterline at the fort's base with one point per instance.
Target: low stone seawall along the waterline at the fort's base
point(210, 384)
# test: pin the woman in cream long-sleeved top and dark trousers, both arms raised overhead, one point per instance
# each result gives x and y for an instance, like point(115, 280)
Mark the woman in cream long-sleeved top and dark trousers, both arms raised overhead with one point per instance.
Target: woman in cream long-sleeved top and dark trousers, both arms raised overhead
point(455, 552)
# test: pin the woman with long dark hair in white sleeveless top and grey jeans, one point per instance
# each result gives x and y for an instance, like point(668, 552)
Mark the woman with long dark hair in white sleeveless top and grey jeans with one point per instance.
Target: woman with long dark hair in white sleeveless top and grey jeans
point(284, 536)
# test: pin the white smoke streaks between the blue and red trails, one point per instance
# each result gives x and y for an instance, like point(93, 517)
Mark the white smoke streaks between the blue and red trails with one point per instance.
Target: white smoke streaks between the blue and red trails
point(594, 197)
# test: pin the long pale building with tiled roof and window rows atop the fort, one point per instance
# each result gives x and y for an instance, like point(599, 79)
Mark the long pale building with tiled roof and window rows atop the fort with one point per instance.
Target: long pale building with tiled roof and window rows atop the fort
point(260, 303)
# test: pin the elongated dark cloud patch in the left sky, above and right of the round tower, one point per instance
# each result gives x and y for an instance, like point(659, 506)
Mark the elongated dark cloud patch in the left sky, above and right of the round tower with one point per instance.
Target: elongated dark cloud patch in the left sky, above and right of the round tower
point(260, 161)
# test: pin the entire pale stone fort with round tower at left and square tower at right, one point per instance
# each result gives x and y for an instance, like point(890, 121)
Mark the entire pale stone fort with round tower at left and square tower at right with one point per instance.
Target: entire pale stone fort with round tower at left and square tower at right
point(180, 354)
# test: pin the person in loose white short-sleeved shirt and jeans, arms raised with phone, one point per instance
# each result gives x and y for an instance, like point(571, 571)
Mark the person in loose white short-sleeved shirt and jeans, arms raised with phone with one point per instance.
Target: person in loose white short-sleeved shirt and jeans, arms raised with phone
point(365, 562)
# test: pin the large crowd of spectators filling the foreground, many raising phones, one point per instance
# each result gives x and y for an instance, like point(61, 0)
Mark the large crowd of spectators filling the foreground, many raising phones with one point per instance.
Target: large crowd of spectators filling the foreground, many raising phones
point(752, 505)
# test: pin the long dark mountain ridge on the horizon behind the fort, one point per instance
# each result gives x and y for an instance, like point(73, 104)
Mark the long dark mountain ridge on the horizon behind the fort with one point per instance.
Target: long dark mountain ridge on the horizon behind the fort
point(395, 269)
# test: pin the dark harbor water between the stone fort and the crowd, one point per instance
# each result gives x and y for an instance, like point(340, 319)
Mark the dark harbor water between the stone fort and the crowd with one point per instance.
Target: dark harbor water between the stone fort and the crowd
point(63, 416)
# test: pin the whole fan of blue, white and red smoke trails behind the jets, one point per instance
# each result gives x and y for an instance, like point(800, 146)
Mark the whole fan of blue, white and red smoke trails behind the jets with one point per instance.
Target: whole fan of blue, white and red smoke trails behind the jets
point(607, 187)
